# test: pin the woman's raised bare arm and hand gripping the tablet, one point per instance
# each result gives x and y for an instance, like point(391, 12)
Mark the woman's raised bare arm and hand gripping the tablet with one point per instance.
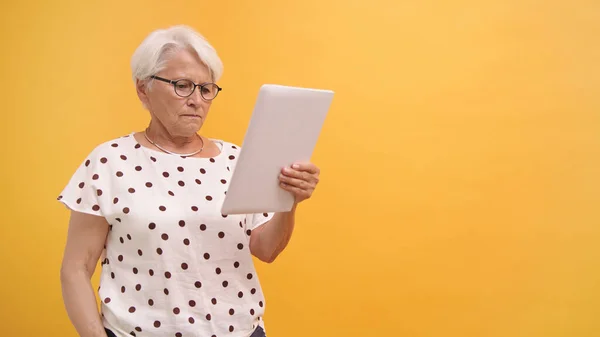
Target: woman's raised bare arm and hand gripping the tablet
point(270, 239)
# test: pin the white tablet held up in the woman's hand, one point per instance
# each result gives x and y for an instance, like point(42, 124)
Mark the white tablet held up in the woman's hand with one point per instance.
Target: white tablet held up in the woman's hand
point(283, 129)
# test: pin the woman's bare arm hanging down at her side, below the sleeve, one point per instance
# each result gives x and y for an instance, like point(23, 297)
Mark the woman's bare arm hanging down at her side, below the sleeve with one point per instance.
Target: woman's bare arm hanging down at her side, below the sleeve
point(85, 242)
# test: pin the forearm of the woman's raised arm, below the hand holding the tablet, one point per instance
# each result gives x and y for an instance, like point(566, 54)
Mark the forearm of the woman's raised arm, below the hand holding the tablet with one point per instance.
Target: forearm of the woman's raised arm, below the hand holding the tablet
point(270, 239)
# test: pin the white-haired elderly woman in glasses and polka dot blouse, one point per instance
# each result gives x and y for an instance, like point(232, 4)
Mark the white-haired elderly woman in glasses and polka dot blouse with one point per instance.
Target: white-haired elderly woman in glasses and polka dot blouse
point(149, 204)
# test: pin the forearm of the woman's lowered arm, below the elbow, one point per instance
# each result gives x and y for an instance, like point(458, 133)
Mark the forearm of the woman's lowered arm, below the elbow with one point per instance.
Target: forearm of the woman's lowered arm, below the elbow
point(80, 303)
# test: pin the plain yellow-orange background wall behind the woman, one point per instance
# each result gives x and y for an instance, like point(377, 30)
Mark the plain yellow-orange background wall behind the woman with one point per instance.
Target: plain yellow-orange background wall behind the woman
point(460, 158)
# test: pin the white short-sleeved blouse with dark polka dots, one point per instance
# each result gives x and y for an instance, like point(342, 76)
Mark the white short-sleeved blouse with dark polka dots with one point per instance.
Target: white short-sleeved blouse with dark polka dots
point(173, 266)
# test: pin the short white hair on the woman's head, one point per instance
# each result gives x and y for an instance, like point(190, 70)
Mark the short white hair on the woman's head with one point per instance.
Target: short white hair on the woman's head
point(151, 55)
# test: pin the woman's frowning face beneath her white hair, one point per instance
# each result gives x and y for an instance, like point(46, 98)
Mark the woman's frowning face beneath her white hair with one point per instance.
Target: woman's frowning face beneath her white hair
point(180, 116)
